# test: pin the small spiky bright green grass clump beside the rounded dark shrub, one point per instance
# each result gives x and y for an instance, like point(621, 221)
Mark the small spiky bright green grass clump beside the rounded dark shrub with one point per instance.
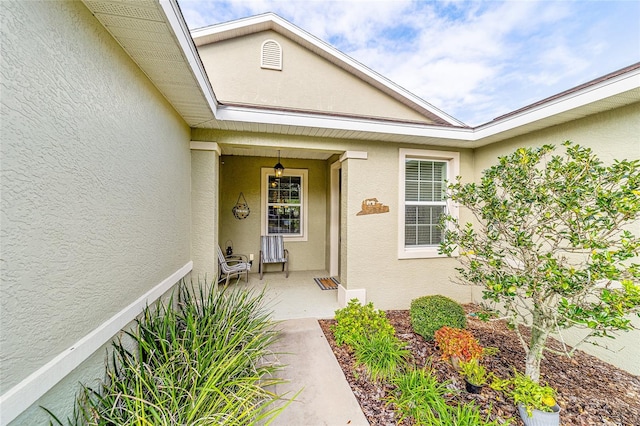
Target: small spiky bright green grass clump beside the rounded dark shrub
point(382, 355)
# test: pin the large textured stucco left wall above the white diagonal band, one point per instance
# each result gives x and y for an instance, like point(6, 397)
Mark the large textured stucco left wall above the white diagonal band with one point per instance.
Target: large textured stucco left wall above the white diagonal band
point(95, 182)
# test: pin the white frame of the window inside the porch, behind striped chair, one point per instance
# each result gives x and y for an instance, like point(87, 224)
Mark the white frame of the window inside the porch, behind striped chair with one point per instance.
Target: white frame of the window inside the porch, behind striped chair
point(304, 202)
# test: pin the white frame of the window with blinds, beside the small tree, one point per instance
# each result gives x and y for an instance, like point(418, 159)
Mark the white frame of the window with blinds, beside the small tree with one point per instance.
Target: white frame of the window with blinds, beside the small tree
point(453, 170)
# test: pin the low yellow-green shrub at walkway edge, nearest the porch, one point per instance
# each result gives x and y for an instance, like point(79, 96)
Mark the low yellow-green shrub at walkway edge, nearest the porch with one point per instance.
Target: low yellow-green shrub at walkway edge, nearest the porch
point(356, 322)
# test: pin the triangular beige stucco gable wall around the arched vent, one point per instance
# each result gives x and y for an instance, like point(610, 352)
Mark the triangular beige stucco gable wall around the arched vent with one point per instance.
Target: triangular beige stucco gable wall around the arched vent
point(307, 82)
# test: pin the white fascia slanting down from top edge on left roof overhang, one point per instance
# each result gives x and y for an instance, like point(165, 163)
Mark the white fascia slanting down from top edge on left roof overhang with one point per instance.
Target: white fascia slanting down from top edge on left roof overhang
point(181, 31)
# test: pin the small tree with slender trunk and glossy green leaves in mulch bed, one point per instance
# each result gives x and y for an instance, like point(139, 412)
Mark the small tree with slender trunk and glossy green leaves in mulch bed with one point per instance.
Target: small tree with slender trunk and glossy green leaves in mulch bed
point(552, 243)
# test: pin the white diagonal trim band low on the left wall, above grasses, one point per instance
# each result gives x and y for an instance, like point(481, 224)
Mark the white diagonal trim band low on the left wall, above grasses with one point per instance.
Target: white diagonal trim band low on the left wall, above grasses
point(20, 397)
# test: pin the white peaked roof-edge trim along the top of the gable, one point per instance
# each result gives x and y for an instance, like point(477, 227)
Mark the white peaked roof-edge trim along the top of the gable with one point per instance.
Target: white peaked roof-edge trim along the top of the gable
point(279, 24)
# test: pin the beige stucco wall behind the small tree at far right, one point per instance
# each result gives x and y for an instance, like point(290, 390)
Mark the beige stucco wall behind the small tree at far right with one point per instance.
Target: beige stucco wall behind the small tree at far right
point(612, 135)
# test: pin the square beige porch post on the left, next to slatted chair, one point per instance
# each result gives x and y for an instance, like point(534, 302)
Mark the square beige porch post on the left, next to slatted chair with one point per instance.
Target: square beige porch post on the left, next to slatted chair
point(205, 167)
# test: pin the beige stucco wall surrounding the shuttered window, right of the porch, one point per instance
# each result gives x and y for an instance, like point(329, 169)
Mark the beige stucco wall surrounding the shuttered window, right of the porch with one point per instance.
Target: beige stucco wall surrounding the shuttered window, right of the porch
point(372, 240)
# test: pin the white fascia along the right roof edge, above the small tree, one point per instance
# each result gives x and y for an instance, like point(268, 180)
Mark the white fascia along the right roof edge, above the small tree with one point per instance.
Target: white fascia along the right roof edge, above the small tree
point(590, 94)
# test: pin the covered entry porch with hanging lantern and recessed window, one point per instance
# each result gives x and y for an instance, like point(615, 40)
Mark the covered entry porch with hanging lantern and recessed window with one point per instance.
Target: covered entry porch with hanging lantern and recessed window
point(225, 173)
